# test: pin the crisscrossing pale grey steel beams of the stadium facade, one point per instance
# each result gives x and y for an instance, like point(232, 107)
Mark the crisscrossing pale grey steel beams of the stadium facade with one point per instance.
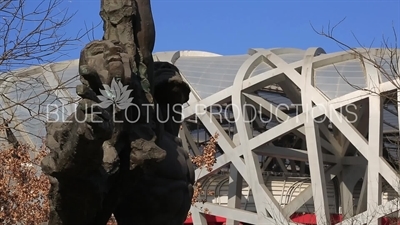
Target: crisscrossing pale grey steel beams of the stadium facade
point(334, 149)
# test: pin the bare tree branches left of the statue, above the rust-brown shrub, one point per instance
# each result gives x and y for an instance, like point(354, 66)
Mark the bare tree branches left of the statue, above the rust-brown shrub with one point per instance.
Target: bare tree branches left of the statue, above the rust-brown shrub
point(32, 36)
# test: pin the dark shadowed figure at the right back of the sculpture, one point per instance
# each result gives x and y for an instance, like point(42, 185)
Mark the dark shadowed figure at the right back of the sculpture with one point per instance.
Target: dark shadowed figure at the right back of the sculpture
point(164, 190)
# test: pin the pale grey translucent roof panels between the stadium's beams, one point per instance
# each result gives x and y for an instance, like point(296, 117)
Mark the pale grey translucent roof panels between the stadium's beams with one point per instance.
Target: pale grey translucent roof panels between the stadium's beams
point(24, 96)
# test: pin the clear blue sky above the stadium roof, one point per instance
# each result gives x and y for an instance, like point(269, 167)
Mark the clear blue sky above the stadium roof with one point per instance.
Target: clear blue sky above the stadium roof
point(232, 27)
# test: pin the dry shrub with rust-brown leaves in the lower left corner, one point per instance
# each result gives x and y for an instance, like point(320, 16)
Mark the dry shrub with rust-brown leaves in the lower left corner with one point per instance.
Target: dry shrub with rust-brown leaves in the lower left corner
point(23, 188)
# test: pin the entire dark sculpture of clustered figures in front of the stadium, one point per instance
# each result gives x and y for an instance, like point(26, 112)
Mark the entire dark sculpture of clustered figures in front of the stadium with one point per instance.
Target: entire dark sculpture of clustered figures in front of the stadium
point(101, 162)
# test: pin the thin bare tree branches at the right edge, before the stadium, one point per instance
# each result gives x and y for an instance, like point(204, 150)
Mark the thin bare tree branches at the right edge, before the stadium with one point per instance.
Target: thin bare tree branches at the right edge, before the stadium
point(386, 60)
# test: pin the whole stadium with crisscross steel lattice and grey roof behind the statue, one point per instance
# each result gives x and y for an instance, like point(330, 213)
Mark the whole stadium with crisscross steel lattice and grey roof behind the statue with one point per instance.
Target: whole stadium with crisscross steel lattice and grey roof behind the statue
point(300, 131)
